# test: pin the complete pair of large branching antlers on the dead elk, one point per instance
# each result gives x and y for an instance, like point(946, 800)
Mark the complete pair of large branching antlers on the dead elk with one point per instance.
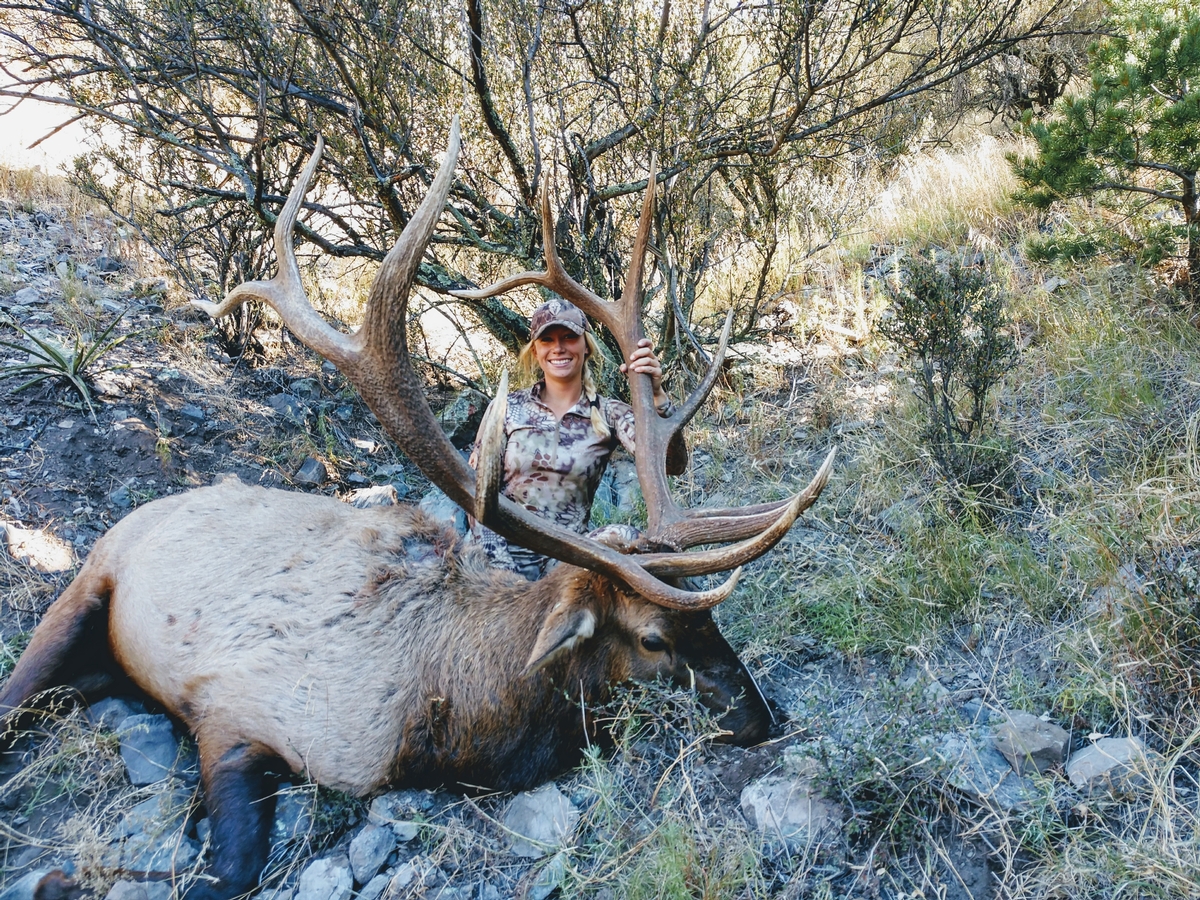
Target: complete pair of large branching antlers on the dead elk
point(376, 362)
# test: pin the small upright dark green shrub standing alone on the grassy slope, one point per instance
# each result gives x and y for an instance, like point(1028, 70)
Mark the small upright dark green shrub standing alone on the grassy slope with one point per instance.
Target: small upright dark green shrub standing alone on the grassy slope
point(950, 325)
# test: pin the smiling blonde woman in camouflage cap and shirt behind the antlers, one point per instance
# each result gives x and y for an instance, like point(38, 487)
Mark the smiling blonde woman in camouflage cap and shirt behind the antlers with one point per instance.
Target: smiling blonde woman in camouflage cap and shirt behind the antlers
point(560, 434)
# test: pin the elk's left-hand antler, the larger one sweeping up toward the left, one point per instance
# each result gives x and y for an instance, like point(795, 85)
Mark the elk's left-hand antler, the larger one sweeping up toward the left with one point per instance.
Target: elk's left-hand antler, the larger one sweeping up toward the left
point(376, 362)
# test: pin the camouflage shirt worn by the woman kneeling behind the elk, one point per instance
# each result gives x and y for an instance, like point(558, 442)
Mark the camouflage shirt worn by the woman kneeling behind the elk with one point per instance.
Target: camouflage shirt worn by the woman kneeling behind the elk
point(553, 467)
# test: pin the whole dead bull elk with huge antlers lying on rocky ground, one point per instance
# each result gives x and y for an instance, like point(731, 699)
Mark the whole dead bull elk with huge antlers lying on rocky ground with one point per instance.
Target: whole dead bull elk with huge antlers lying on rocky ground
point(368, 649)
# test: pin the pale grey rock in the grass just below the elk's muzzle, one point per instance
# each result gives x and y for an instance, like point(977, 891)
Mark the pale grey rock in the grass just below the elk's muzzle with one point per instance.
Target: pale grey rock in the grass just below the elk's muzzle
point(790, 812)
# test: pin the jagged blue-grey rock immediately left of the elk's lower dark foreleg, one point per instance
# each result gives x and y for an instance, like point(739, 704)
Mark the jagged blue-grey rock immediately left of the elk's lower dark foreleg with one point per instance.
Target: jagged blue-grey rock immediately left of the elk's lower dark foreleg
point(151, 837)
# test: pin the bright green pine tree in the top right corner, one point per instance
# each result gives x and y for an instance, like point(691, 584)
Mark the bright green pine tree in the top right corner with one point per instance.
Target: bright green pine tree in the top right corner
point(1137, 130)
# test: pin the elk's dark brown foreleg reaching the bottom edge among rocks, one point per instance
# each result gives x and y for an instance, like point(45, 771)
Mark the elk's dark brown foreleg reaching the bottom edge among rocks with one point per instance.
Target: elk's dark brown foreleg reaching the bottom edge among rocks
point(239, 794)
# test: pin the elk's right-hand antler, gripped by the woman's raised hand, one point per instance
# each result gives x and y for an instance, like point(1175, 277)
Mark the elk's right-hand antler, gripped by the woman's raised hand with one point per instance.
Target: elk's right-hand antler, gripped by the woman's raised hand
point(759, 527)
